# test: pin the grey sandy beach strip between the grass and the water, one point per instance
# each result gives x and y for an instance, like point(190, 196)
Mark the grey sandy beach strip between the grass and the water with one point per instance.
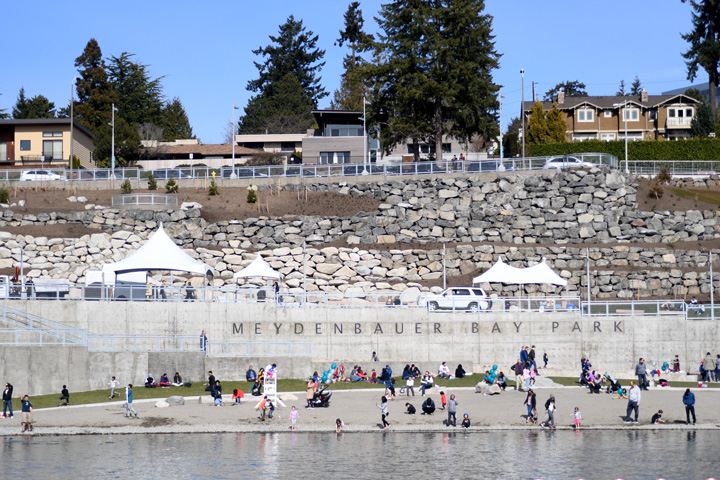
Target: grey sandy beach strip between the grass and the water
point(357, 409)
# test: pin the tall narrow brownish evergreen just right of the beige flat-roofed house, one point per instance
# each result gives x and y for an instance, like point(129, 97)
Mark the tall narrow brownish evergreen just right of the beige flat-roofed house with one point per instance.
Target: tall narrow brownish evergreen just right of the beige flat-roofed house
point(94, 92)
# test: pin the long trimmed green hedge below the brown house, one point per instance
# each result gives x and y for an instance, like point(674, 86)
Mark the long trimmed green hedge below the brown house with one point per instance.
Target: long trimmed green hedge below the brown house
point(690, 149)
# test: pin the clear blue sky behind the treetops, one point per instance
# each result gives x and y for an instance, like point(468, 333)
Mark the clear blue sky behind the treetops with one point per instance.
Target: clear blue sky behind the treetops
point(203, 49)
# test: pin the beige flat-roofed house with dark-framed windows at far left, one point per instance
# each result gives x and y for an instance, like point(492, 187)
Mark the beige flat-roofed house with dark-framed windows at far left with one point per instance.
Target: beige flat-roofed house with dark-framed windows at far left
point(44, 141)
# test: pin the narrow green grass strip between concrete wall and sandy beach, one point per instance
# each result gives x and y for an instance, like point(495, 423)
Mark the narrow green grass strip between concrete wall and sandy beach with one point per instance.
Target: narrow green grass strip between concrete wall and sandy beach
point(287, 385)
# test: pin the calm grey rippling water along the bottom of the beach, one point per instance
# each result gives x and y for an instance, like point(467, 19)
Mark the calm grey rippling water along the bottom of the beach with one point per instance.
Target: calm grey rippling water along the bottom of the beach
point(543, 454)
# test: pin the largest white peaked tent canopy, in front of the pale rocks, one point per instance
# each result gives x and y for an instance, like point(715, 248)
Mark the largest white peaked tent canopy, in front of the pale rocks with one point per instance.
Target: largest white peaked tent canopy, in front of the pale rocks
point(158, 253)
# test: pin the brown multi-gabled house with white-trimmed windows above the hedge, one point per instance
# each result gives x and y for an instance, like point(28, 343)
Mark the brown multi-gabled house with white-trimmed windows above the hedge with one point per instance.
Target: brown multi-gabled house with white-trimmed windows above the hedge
point(649, 117)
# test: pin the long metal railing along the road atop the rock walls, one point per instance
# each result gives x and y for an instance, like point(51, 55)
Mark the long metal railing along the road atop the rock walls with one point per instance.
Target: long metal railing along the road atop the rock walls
point(387, 168)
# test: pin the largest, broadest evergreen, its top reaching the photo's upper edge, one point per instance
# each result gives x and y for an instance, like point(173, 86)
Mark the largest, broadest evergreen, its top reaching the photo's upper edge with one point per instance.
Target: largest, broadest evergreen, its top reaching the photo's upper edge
point(432, 72)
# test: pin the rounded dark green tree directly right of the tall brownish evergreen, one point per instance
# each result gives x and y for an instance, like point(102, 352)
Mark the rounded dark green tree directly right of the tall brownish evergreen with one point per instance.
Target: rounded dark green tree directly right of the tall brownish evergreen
point(140, 98)
